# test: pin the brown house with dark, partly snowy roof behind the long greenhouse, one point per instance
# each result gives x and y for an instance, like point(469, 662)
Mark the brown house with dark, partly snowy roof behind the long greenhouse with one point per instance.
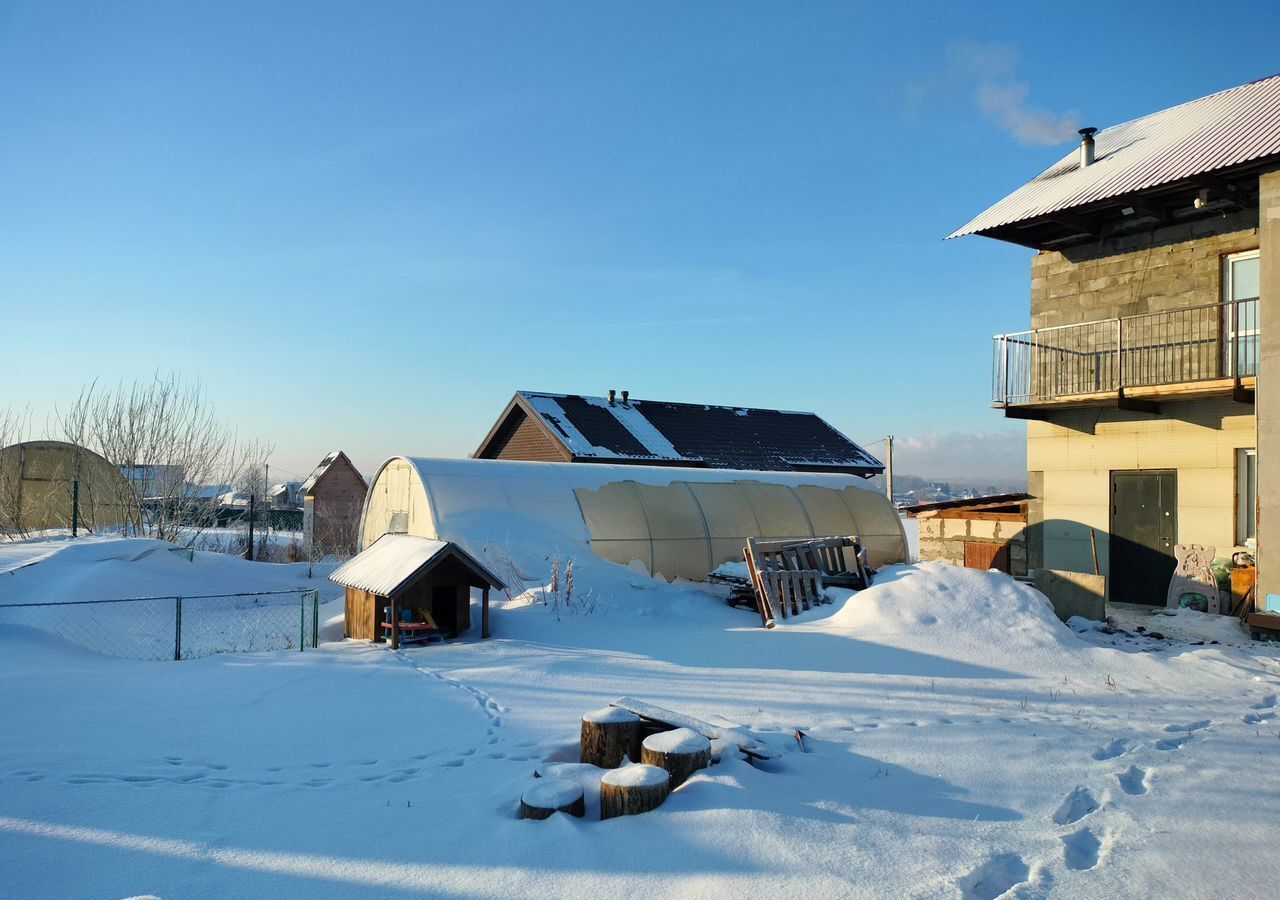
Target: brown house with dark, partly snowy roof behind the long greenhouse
point(616, 430)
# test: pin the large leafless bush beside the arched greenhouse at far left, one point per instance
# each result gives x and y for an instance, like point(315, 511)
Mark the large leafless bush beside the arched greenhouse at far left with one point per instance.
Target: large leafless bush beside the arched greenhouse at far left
point(170, 444)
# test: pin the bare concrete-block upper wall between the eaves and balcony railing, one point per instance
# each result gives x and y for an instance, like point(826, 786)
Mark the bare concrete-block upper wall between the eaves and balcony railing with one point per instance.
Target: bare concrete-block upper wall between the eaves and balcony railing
point(1164, 269)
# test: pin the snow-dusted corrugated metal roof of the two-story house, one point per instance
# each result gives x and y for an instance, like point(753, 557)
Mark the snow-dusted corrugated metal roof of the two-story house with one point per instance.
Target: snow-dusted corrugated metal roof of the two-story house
point(1237, 126)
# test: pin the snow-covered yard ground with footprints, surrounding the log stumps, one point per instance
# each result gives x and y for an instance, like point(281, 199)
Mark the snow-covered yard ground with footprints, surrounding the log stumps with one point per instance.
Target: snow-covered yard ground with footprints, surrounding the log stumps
point(961, 743)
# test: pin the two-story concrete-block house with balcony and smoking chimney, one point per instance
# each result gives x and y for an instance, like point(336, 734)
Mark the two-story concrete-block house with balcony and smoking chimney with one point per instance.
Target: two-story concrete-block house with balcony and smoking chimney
point(1142, 376)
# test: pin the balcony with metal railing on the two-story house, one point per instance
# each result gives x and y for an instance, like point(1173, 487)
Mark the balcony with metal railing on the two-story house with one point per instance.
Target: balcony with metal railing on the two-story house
point(1132, 363)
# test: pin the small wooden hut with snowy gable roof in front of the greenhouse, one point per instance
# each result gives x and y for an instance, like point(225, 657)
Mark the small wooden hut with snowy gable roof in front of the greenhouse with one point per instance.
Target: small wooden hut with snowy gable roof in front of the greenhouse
point(403, 582)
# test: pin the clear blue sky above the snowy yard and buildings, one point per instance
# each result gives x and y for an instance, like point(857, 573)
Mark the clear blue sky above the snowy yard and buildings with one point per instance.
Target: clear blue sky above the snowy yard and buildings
point(367, 225)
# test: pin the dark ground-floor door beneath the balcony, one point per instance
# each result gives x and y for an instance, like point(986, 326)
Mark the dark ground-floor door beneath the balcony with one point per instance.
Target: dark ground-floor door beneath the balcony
point(1144, 533)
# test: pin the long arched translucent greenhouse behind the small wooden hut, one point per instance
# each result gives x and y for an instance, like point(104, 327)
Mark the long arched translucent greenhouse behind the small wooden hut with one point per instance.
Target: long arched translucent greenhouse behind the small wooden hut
point(673, 522)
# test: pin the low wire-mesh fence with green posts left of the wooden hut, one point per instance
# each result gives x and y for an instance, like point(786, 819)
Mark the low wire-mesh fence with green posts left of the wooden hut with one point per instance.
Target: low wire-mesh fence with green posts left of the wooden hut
point(180, 628)
